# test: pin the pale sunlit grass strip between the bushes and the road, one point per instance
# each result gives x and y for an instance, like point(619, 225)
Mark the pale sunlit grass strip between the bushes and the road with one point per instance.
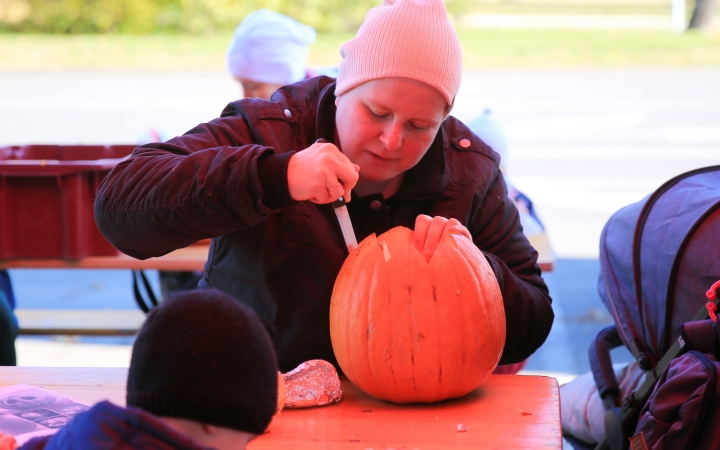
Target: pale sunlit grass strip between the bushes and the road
point(482, 49)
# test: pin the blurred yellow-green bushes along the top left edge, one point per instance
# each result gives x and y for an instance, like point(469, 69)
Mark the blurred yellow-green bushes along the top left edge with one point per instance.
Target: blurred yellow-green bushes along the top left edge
point(174, 16)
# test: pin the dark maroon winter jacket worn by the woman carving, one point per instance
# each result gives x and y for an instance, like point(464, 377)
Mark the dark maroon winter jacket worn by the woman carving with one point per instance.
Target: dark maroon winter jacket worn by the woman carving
point(227, 180)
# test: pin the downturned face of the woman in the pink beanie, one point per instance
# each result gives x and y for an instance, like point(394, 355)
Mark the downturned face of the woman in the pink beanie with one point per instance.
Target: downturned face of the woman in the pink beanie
point(387, 125)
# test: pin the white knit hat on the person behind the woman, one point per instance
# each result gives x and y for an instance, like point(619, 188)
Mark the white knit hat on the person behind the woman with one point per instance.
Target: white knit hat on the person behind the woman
point(270, 48)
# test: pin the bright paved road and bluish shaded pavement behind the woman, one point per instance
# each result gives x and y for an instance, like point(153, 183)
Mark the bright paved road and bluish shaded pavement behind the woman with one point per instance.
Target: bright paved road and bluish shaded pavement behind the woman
point(583, 144)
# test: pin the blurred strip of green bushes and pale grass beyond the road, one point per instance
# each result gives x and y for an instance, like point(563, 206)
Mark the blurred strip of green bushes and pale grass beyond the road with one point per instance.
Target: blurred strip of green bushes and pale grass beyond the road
point(193, 34)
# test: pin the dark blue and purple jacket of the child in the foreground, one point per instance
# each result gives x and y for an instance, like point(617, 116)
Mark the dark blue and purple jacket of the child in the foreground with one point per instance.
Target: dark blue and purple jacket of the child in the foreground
point(106, 426)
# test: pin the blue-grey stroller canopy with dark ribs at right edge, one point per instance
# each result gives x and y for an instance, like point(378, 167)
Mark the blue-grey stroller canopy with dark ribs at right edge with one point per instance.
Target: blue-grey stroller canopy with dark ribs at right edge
point(659, 256)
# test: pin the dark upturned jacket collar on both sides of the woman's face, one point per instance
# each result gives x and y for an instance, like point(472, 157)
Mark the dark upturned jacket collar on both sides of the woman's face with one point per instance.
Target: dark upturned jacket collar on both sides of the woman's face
point(426, 179)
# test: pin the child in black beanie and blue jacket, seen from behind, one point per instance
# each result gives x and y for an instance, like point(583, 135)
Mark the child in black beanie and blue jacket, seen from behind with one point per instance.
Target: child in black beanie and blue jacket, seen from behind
point(203, 374)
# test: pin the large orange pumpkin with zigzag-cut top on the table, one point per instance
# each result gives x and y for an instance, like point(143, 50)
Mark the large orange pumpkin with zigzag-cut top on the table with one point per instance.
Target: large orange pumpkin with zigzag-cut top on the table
point(407, 330)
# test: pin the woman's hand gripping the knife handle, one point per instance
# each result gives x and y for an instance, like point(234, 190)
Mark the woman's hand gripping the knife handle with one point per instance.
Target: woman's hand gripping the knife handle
point(321, 174)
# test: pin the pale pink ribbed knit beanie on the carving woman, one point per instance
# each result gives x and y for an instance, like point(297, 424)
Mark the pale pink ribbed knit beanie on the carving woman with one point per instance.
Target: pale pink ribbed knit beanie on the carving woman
point(406, 39)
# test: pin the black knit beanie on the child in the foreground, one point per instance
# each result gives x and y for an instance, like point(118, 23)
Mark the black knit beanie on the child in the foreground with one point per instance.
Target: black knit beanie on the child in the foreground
point(202, 355)
